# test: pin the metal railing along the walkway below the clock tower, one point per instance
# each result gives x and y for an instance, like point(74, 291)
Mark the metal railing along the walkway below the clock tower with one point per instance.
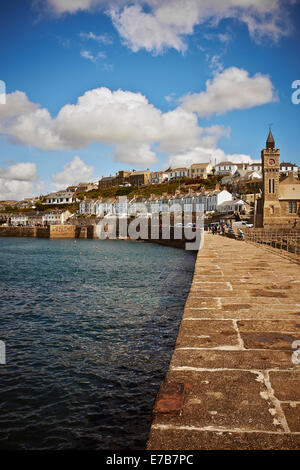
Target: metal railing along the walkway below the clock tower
point(286, 241)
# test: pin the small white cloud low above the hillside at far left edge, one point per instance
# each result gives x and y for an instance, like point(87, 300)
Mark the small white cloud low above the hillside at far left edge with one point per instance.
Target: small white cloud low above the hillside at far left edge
point(18, 181)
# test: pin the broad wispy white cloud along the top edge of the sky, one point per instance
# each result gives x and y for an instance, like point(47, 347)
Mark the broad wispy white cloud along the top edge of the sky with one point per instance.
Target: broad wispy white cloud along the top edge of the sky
point(167, 23)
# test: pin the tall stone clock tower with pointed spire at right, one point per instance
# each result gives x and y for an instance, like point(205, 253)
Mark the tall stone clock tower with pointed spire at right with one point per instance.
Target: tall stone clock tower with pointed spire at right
point(270, 158)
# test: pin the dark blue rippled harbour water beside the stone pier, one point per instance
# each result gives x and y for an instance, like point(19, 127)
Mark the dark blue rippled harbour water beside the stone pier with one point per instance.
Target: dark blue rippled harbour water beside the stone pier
point(89, 329)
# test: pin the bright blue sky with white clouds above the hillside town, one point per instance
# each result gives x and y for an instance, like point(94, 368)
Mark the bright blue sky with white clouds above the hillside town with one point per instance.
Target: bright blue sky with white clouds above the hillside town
point(150, 84)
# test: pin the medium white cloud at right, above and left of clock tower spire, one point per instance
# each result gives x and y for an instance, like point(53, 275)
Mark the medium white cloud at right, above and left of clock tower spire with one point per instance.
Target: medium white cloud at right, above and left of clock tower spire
point(230, 89)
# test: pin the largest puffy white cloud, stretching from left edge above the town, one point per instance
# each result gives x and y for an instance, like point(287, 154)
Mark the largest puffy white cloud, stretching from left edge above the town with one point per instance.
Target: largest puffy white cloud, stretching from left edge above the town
point(120, 118)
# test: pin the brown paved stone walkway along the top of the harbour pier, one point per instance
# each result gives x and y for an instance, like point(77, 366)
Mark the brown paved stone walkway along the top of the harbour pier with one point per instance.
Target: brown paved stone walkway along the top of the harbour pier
point(234, 378)
